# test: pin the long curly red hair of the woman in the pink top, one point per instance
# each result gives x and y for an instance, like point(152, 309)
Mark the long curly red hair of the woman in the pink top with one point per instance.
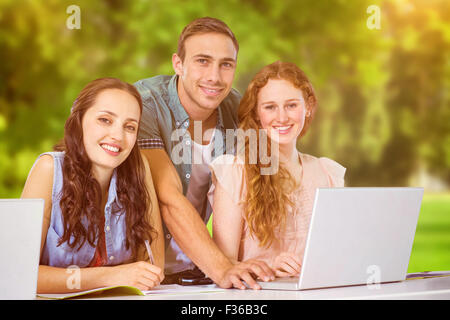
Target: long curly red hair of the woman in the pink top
point(267, 197)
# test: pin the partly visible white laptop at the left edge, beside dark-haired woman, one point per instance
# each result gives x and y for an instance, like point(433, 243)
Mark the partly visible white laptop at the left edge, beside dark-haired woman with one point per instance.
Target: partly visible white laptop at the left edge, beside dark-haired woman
point(20, 244)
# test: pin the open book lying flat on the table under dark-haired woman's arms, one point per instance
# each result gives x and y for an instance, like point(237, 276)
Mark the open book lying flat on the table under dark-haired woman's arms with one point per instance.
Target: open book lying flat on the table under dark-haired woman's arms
point(128, 290)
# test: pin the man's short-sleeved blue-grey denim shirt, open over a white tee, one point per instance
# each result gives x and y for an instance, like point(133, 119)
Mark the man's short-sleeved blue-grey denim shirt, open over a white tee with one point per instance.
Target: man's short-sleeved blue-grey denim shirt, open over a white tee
point(164, 125)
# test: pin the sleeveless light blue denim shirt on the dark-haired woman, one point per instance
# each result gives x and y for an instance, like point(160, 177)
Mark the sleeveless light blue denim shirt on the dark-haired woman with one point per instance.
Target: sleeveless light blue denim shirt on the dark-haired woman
point(115, 228)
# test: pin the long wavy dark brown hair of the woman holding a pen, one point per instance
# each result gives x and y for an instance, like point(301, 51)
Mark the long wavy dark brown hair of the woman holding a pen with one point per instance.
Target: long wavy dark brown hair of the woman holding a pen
point(81, 193)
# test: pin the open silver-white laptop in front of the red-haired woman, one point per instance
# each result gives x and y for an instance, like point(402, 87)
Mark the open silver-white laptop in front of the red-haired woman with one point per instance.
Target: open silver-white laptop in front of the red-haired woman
point(357, 236)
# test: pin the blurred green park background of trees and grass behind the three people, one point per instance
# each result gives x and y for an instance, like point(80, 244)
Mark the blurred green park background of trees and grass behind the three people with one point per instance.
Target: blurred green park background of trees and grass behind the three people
point(382, 84)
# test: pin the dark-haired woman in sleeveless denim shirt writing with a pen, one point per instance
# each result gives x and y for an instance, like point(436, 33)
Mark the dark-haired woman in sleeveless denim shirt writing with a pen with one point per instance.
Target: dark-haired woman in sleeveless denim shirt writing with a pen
point(101, 211)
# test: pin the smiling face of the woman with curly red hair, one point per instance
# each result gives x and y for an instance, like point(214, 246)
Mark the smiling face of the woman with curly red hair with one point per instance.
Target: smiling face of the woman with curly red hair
point(281, 111)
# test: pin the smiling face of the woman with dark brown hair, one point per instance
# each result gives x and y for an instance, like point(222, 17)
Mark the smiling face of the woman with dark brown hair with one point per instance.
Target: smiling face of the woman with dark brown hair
point(110, 128)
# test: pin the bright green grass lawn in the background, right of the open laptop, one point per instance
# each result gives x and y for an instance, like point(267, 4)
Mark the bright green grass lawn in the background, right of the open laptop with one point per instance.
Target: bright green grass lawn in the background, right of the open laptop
point(431, 248)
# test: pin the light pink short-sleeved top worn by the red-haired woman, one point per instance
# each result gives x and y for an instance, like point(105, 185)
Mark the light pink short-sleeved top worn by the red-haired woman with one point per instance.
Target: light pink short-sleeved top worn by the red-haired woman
point(228, 171)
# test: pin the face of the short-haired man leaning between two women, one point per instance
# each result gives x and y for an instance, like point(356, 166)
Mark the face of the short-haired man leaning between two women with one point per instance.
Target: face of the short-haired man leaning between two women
point(207, 72)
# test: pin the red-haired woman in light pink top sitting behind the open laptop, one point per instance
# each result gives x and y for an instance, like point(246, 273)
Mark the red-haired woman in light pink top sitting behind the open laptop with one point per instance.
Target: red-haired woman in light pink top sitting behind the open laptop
point(266, 216)
